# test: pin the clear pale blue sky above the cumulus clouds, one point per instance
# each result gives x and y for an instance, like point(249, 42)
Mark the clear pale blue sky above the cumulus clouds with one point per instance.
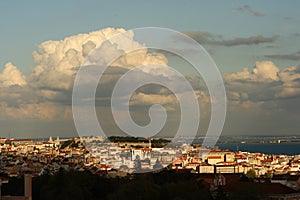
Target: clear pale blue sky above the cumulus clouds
point(26, 24)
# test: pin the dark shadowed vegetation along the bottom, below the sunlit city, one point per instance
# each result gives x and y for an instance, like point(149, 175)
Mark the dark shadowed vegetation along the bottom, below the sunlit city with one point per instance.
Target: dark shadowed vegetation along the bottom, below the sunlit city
point(166, 184)
